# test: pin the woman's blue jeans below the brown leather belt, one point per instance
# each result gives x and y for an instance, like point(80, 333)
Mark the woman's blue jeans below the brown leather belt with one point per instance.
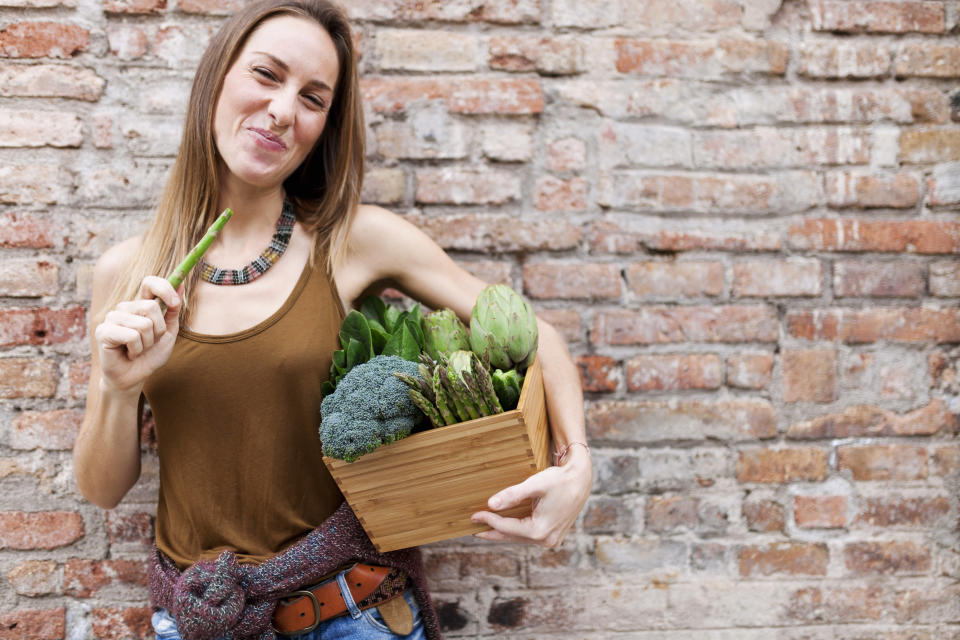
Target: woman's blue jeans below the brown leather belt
point(354, 625)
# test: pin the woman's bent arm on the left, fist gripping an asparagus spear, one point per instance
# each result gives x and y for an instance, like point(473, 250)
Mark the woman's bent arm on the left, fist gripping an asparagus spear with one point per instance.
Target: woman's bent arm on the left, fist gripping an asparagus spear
point(134, 340)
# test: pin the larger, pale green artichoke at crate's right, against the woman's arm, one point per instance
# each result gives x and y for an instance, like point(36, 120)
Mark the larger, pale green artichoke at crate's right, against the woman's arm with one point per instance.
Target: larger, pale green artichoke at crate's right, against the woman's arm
point(503, 329)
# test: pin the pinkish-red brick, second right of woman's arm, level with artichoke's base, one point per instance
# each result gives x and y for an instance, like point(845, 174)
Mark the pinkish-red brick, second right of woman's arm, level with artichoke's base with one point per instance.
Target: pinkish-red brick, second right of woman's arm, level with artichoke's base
point(674, 372)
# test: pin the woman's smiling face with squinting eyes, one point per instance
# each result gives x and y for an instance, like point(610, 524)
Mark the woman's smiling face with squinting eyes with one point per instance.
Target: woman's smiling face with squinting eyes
point(275, 99)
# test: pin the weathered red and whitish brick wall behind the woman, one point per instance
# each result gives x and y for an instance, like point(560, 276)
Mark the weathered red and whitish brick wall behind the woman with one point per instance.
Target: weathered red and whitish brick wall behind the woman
point(741, 214)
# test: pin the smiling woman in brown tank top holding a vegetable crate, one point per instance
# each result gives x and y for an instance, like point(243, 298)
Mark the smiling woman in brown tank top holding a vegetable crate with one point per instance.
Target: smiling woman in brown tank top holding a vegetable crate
point(247, 513)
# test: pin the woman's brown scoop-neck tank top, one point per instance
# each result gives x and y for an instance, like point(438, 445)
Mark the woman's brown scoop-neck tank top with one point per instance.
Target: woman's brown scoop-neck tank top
point(237, 418)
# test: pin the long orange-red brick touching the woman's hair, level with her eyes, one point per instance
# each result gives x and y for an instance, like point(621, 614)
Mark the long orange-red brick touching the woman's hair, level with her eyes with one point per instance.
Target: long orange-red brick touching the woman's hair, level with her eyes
point(473, 94)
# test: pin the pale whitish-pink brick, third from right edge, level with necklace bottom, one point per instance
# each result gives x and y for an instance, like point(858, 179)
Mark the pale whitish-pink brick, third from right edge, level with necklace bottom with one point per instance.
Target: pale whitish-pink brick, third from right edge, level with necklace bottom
point(788, 277)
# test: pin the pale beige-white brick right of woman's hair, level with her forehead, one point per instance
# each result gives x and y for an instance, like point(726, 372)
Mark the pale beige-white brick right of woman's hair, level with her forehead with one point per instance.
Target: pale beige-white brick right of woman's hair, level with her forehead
point(425, 50)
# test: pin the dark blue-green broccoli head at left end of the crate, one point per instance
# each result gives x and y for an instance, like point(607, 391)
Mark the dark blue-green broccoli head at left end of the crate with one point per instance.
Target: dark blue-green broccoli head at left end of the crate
point(369, 407)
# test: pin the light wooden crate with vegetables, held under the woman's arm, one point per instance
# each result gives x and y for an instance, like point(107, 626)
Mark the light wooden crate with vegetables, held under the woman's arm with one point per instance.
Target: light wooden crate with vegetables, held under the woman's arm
point(425, 487)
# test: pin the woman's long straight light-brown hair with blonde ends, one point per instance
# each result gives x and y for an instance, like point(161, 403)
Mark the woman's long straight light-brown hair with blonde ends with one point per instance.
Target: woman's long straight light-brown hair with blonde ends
point(325, 188)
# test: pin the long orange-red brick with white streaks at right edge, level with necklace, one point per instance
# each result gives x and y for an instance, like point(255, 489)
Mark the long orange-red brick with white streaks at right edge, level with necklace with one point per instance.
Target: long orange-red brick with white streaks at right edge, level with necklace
point(897, 236)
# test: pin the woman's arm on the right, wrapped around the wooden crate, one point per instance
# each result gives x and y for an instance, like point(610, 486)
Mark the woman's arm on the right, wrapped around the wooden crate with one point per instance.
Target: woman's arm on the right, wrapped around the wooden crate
point(386, 250)
